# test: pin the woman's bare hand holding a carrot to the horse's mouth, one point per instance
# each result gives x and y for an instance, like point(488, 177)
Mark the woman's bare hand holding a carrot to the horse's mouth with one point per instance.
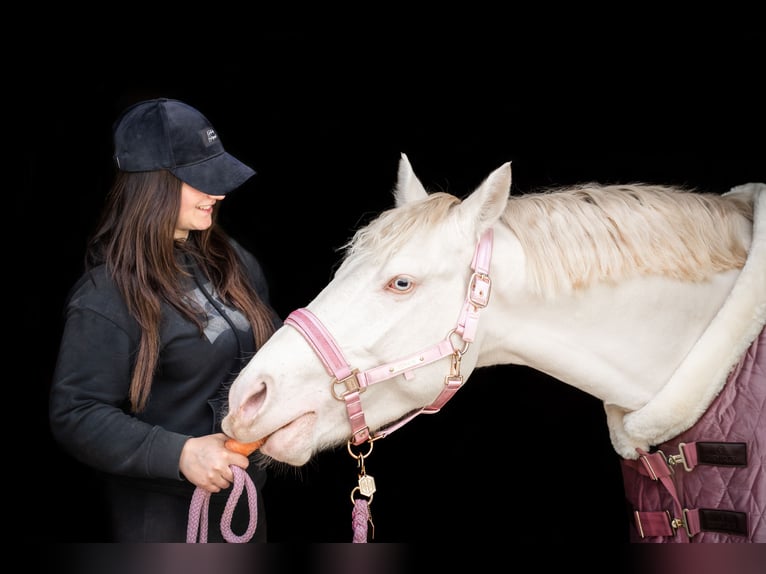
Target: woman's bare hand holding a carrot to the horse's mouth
point(205, 462)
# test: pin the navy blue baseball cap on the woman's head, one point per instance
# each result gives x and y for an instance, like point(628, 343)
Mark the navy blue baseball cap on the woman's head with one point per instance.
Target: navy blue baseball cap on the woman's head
point(169, 134)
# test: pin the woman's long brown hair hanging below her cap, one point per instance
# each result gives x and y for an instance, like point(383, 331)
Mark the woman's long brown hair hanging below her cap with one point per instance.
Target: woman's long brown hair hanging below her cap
point(135, 239)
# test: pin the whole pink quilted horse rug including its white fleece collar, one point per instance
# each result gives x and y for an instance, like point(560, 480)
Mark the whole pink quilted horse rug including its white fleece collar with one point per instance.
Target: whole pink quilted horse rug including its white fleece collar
point(694, 456)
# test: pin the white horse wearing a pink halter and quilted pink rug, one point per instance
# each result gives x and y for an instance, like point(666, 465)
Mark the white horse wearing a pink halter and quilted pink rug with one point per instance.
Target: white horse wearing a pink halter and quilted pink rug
point(643, 296)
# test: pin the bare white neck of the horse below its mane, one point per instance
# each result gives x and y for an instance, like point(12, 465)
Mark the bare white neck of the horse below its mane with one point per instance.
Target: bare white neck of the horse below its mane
point(620, 343)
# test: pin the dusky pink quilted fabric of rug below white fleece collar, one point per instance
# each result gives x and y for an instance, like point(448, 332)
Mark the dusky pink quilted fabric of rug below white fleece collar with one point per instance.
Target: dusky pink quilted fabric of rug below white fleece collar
point(728, 485)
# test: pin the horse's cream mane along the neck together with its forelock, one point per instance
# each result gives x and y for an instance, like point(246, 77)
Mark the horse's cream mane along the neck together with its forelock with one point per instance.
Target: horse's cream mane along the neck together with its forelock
point(576, 236)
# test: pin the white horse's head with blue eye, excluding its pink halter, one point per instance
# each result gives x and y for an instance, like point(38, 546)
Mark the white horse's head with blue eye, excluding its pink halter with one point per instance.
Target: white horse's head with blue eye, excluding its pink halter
point(406, 273)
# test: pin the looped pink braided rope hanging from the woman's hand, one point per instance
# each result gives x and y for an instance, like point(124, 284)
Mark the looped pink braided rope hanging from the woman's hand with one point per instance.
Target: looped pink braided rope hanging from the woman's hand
point(198, 511)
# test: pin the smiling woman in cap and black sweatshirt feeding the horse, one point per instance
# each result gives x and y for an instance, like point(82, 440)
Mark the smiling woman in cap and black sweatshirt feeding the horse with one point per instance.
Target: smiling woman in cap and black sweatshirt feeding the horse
point(167, 312)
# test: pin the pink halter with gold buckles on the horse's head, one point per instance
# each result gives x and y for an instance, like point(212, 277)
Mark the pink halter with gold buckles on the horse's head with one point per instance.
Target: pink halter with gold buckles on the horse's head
point(348, 383)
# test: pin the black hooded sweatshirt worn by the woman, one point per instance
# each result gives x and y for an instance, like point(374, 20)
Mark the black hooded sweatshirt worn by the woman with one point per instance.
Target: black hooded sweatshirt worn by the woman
point(89, 411)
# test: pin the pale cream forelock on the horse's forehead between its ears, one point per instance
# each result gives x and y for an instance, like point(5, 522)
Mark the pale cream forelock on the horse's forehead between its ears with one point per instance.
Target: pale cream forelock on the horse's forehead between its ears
point(394, 228)
